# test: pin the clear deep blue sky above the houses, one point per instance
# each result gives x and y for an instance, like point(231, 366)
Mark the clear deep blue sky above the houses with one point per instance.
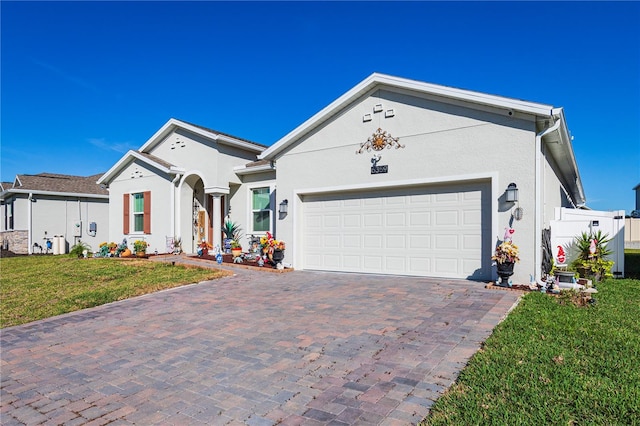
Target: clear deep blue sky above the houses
point(83, 82)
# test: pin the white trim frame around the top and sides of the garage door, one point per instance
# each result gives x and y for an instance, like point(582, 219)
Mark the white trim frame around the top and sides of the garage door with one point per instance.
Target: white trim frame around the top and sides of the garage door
point(492, 177)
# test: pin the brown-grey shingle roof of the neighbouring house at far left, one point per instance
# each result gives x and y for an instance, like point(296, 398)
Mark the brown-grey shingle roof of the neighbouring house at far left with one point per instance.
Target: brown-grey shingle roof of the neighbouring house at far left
point(51, 182)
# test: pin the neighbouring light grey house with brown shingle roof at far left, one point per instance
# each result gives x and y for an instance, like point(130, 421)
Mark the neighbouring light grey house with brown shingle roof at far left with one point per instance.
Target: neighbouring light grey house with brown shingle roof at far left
point(37, 208)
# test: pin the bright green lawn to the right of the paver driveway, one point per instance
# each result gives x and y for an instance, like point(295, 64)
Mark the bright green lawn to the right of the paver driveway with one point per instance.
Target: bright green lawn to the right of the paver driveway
point(551, 362)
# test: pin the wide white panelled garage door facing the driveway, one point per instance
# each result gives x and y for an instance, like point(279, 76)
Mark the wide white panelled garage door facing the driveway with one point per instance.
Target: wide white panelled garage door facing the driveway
point(433, 231)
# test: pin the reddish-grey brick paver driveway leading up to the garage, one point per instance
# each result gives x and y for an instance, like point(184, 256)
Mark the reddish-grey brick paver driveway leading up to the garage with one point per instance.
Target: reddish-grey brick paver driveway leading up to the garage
point(255, 348)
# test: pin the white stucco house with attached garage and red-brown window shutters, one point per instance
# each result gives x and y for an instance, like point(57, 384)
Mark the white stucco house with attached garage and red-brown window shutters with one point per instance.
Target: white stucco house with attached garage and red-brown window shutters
point(396, 176)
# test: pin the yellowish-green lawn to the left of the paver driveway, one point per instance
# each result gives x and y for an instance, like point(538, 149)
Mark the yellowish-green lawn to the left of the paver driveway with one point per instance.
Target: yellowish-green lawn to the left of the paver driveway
point(36, 287)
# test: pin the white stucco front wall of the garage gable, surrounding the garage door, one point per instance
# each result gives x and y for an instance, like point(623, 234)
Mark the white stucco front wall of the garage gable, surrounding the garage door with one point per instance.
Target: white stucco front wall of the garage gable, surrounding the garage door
point(442, 143)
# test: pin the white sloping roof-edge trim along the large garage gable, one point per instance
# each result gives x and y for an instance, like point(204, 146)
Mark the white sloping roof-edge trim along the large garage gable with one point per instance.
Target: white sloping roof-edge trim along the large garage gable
point(372, 82)
